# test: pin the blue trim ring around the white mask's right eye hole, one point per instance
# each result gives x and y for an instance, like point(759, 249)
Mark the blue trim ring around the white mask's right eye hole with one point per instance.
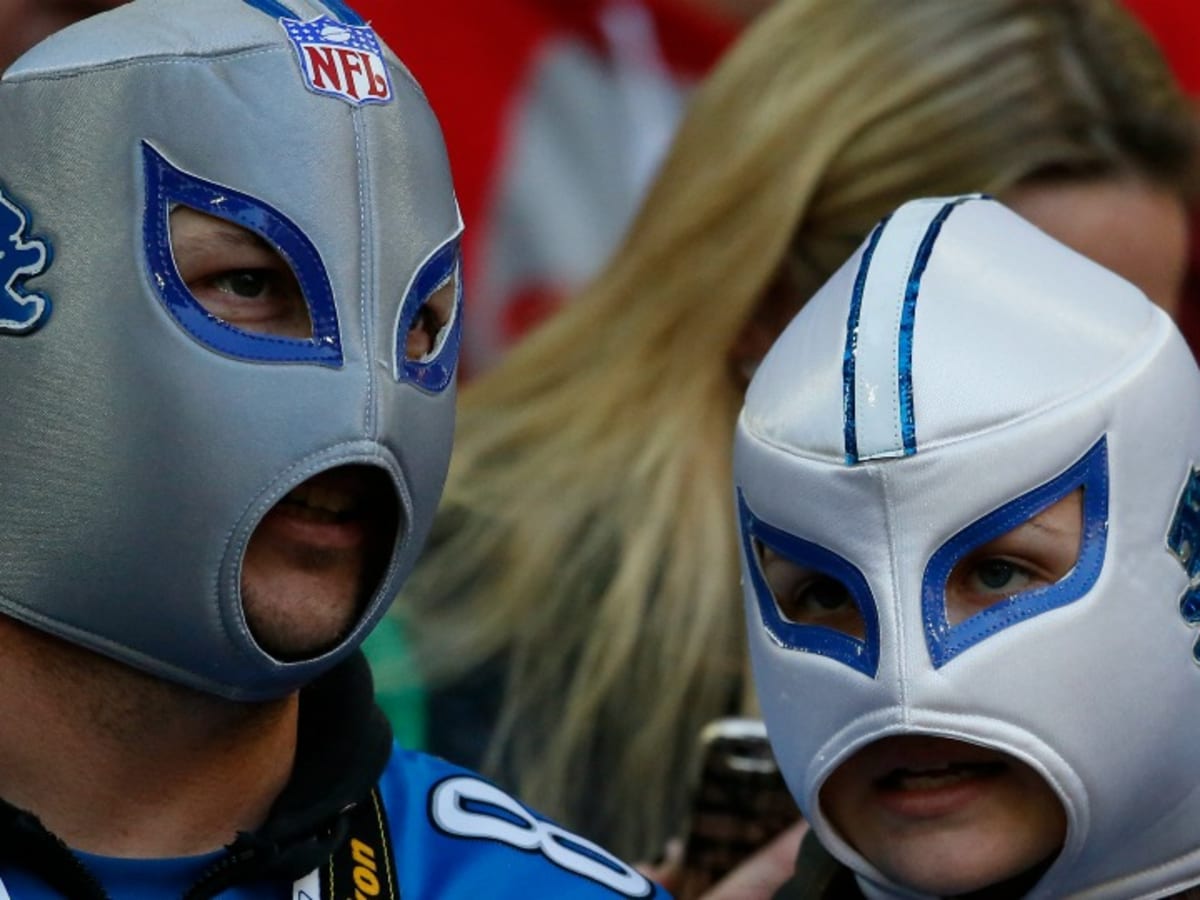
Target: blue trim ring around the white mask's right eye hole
point(946, 641)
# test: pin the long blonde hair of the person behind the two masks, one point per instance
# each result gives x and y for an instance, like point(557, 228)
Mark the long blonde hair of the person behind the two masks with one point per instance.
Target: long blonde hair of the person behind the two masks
point(587, 536)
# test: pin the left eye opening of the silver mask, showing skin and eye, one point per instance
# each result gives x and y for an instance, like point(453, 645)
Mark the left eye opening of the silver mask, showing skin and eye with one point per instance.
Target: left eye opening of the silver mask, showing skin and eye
point(237, 277)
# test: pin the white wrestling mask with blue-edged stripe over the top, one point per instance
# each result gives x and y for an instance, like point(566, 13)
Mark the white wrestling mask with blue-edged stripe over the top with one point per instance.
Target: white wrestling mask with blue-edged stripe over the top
point(959, 376)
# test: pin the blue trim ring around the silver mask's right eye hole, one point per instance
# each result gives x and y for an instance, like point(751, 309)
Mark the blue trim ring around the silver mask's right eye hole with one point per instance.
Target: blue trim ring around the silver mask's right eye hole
point(434, 373)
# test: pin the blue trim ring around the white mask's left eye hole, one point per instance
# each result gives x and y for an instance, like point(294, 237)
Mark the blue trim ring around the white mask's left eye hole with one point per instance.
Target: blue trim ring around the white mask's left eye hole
point(862, 655)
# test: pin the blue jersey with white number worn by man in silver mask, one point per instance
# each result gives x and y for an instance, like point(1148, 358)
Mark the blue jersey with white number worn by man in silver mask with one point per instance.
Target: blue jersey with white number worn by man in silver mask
point(447, 835)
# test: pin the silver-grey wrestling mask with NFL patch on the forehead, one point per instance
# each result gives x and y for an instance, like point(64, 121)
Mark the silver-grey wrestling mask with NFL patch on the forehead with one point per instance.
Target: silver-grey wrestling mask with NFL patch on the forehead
point(143, 437)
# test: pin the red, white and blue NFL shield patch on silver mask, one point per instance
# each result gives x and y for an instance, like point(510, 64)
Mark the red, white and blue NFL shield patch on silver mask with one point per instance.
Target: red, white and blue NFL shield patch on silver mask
point(340, 61)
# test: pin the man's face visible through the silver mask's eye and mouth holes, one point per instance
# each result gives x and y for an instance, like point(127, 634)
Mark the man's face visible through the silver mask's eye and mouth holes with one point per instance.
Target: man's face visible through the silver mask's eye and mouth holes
point(317, 556)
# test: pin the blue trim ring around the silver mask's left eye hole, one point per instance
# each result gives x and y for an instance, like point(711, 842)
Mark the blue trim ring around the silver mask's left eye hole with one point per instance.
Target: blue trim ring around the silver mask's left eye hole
point(167, 185)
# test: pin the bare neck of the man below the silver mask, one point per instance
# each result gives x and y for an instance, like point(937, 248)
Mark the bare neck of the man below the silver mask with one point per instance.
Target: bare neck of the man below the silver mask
point(121, 764)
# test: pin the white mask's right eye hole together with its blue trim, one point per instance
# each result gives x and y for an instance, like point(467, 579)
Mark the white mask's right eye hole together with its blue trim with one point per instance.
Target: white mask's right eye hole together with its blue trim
point(1041, 551)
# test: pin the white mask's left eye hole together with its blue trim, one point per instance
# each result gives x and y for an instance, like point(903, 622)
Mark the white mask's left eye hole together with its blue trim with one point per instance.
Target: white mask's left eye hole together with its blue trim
point(809, 598)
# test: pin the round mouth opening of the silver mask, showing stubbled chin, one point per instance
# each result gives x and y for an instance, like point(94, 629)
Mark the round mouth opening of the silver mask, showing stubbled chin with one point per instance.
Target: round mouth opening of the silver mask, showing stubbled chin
point(317, 559)
